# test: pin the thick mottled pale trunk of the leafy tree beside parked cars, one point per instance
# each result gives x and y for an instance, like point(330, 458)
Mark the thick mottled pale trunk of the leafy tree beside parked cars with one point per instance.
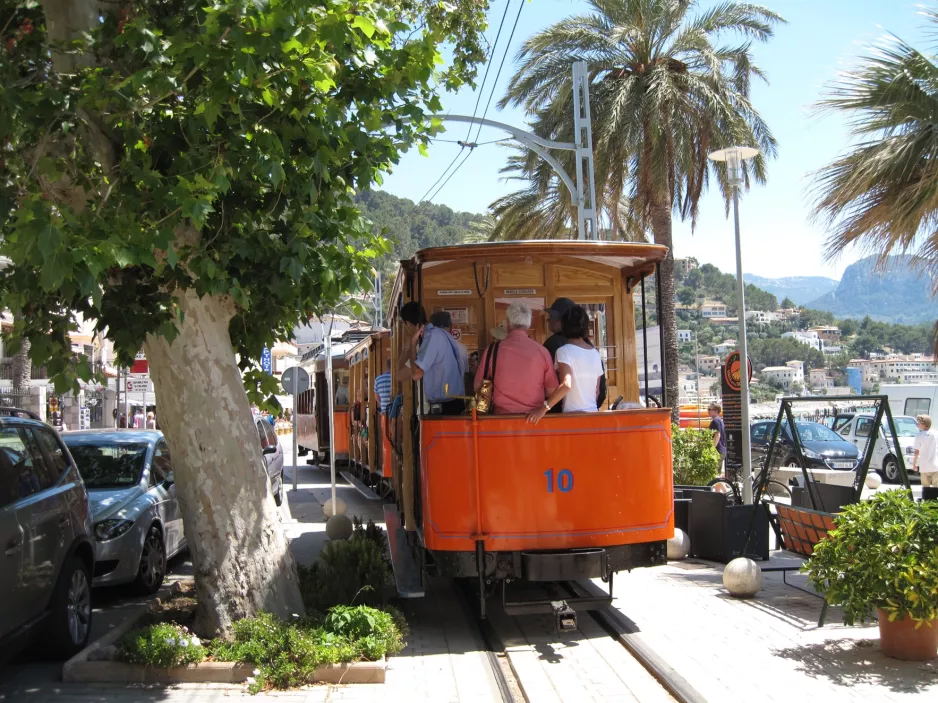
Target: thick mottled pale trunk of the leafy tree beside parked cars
point(243, 563)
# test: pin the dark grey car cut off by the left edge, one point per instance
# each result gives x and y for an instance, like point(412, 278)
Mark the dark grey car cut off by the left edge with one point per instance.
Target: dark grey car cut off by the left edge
point(46, 537)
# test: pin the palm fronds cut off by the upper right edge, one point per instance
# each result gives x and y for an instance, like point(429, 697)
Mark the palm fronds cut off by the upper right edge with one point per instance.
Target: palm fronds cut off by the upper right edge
point(882, 194)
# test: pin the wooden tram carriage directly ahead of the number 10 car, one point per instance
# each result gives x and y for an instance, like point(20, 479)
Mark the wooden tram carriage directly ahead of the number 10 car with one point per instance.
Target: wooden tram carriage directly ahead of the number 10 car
point(369, 433)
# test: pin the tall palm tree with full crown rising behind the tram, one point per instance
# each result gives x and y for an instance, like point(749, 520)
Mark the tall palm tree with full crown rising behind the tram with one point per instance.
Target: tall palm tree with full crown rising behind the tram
point(663, 94)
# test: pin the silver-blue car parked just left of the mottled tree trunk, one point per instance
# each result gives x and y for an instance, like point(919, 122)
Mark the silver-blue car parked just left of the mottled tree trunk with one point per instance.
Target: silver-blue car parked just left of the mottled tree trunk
point(137, 520)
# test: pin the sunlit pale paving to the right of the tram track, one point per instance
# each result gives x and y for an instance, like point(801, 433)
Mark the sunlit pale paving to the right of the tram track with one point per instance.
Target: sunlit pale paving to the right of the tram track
point(766, 649)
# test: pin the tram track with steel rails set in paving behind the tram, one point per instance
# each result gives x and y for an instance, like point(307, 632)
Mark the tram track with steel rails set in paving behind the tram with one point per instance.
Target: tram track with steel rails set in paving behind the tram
point(604, 657)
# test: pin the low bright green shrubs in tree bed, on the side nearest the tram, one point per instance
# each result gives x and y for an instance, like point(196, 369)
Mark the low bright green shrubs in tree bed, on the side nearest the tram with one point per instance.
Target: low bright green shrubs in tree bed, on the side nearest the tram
point(287, 654)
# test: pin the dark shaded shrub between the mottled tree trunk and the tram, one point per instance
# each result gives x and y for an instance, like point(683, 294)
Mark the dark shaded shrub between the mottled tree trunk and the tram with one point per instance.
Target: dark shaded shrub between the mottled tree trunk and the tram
point(352, 571)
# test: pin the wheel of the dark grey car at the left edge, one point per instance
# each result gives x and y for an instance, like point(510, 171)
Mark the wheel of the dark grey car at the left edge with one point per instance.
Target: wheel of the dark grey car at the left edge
point(70, 624)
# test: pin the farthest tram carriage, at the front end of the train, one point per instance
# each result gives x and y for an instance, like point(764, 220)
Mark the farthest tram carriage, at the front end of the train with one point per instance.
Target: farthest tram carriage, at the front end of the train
point(313, 407)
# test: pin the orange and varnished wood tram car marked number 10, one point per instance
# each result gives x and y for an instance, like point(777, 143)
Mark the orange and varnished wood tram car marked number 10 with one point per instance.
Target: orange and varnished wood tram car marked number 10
point(495, 498)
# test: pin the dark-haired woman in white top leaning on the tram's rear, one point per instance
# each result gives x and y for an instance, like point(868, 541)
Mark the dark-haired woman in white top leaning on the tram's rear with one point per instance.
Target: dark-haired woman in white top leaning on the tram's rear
point(579, 368)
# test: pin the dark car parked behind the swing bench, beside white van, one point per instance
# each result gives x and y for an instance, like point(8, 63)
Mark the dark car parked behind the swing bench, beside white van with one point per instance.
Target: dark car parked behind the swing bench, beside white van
point(823, 448)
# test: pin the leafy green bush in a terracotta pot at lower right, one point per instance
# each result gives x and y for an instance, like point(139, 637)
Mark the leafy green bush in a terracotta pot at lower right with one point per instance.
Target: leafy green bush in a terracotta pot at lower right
point(883, 557)
